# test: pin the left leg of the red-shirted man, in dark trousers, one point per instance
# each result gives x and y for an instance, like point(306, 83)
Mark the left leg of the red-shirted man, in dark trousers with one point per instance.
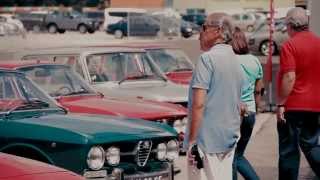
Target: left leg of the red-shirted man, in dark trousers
point(289, 154)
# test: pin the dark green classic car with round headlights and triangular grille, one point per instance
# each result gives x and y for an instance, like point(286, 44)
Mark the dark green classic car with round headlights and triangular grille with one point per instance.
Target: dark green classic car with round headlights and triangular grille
point(34, 126)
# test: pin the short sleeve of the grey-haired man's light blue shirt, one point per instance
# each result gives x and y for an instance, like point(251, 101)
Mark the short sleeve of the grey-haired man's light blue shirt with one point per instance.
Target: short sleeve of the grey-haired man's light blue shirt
point(202, 74)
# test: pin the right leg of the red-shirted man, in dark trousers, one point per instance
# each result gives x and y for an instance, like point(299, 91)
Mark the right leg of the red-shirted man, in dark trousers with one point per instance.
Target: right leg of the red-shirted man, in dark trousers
point(310, 139)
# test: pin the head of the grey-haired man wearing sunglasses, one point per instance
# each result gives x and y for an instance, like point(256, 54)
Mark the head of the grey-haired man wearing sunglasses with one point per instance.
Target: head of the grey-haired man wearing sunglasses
point(216, 29)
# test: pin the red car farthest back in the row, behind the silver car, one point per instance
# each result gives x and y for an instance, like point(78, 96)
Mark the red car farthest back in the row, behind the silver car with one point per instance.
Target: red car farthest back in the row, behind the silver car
point(172, 61)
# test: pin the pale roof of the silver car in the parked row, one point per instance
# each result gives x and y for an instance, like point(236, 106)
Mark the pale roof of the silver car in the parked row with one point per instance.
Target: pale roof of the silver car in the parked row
point(79, 50)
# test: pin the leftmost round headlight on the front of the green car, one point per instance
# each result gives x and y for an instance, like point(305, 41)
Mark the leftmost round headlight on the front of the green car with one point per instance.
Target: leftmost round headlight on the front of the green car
point(96, 158)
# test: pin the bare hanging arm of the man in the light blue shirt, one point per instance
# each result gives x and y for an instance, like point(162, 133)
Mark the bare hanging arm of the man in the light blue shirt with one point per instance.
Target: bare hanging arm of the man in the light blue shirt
point(198, 103)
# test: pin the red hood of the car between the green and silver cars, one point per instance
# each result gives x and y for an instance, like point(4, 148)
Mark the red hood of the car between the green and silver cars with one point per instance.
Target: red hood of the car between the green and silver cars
point(128, 108)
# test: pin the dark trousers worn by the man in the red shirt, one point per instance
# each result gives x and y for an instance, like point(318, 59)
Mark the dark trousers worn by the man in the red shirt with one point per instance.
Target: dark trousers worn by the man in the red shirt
point(300, 129)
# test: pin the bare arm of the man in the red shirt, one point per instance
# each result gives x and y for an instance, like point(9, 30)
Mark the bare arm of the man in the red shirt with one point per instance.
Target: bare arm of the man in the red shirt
point(287, 83)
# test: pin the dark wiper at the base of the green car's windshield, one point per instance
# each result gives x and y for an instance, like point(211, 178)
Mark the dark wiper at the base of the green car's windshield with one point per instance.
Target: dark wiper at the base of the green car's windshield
point(32, 104)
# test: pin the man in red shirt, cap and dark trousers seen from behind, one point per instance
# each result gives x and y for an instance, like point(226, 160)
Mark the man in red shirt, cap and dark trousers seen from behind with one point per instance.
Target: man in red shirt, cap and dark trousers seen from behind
point(299, 97)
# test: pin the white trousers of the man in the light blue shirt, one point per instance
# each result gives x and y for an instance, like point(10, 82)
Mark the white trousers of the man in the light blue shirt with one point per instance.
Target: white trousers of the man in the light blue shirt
point(216, 168)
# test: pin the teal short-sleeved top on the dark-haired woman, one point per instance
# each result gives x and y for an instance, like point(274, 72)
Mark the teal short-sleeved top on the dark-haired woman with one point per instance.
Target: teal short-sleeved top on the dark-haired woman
point(252, 69)
